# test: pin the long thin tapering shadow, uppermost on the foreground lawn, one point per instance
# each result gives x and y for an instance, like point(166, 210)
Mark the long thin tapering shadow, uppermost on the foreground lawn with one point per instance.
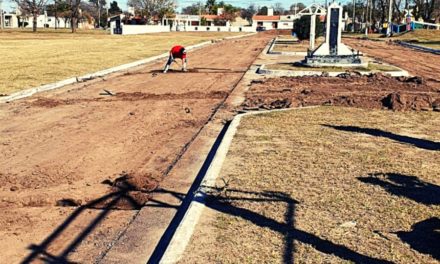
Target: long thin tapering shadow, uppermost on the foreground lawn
point(417, 142)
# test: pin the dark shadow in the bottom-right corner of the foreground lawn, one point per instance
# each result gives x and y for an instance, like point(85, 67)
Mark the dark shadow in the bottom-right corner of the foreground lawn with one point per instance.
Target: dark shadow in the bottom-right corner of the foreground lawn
point(424, 237)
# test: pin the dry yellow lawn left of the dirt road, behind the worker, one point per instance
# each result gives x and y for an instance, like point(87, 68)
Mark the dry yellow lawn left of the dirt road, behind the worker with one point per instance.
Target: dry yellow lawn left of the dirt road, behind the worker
point(30, 60)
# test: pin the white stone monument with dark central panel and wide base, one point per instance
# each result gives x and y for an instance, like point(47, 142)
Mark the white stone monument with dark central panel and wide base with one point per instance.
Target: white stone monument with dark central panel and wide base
point(332, 52)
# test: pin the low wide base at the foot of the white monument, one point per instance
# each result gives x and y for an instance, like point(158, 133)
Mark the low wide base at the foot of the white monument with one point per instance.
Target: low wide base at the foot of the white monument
point(334, 61)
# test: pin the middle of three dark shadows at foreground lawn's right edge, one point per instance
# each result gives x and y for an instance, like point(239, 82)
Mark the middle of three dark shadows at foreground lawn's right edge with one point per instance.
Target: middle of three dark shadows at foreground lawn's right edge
point(406, 186)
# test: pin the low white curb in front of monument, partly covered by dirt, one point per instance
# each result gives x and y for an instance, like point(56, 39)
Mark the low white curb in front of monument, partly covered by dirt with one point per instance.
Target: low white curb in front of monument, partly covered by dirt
point(287, 73)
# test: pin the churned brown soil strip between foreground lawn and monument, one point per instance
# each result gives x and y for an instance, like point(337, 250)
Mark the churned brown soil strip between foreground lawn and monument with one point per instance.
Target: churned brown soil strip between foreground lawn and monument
point(375, 91)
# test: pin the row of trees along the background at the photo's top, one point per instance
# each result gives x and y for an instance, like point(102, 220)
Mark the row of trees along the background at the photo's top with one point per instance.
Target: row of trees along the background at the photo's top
point(75, 11)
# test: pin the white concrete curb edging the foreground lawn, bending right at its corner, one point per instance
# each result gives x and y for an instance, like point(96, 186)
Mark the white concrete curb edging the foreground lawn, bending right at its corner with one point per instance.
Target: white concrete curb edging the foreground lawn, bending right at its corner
point(185, 229)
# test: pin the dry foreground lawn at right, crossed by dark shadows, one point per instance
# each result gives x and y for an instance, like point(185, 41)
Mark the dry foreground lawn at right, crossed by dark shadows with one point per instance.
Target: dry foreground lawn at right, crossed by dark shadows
point(326, 185)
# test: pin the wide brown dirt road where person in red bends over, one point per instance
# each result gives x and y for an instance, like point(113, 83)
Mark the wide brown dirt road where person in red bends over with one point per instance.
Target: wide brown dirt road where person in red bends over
point(77, 163)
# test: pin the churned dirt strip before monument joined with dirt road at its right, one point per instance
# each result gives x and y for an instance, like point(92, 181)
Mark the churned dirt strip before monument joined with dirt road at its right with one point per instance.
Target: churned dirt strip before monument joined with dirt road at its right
point(377, 91)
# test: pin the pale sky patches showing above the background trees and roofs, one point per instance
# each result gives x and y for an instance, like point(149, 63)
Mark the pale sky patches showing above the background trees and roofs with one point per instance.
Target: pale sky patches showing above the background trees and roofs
point(9, 5)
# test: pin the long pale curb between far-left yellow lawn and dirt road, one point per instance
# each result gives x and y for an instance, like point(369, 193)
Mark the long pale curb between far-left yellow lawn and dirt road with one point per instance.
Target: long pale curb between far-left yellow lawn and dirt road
point(47, 87)
